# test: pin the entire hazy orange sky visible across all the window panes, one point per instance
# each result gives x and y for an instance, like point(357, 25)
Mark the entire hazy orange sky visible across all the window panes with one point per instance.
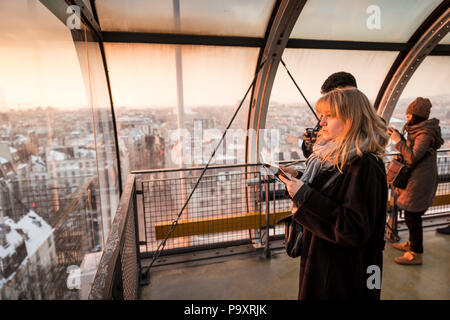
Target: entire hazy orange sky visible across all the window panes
point(40, 66)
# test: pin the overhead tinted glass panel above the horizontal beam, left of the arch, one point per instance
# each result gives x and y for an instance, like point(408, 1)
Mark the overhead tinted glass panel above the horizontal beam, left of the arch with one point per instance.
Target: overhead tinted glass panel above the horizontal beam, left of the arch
point(212, 17)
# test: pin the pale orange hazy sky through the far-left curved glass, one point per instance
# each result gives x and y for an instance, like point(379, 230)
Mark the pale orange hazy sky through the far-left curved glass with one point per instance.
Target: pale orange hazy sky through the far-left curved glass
point(38, 60)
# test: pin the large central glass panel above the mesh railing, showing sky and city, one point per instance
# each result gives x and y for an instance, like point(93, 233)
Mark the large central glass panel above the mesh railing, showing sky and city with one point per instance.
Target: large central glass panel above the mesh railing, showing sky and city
point(212, 81)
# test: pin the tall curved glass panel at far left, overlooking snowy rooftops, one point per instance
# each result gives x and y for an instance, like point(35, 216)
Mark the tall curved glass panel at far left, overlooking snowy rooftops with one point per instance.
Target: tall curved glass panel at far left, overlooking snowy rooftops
point(51, 208)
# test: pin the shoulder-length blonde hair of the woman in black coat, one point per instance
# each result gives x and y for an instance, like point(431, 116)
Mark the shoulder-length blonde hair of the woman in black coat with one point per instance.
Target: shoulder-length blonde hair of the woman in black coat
point(361, 123)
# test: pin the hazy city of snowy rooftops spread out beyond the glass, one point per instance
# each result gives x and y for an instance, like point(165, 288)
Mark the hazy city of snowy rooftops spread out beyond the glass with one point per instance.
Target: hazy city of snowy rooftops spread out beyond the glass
point(57, 177)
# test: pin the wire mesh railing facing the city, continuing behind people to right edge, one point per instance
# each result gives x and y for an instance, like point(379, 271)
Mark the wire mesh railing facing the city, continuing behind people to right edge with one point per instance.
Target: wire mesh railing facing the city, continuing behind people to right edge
point(229, 206)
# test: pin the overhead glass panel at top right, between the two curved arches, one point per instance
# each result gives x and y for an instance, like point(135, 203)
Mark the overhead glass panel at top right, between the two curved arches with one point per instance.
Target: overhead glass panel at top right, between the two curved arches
point(356, 20)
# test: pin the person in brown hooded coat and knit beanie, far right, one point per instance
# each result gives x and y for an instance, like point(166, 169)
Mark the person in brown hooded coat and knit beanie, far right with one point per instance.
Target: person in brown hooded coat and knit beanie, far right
point(424, 138)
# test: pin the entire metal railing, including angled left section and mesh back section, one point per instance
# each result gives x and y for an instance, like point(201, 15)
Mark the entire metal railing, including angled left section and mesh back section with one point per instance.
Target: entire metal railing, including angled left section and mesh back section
point(233, 205)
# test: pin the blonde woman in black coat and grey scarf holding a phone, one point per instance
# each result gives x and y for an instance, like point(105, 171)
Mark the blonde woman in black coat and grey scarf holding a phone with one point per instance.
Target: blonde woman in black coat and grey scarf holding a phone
point(343, 239)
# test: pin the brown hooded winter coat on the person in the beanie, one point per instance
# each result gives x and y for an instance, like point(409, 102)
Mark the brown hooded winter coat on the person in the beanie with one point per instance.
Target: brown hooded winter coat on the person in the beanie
point(422, 184)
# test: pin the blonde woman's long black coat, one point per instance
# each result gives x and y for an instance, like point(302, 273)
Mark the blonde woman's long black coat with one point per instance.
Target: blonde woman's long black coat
point(343, 231)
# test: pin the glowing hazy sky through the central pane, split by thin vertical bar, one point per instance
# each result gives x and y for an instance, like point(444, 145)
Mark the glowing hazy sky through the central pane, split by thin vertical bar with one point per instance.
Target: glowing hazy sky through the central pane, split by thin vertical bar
point(145, 75)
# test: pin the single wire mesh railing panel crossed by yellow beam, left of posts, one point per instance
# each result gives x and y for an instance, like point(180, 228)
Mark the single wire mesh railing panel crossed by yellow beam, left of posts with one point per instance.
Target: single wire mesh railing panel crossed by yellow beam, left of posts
point(215, 214)
